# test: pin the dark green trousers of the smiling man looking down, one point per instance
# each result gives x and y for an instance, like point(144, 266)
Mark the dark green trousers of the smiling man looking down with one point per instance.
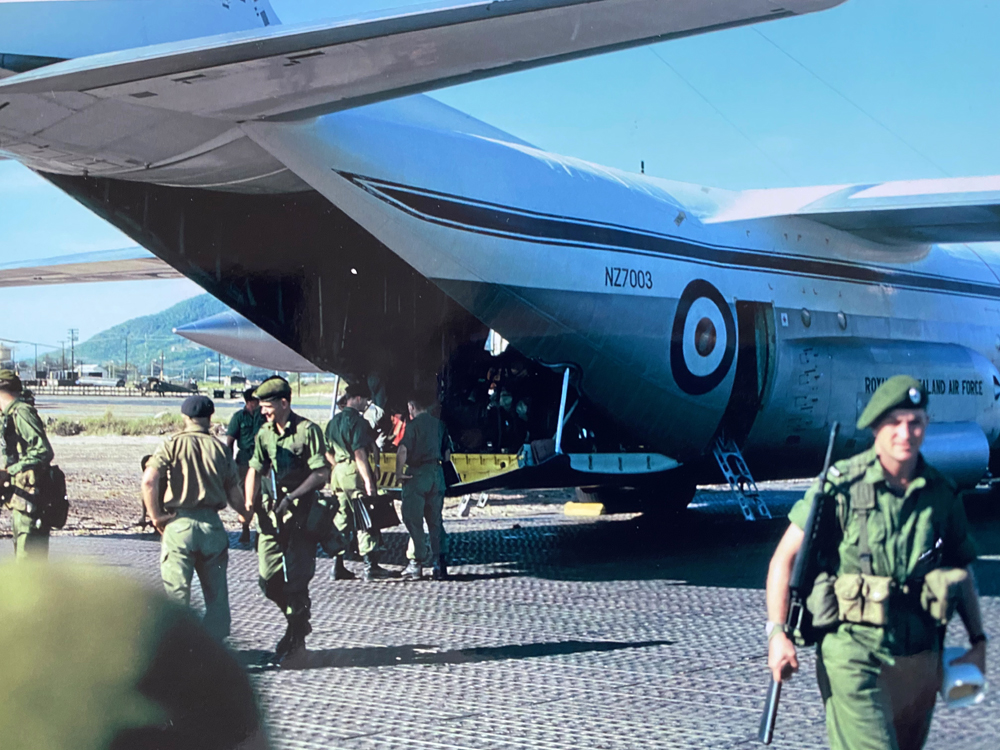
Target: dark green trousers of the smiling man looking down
point(285, 573)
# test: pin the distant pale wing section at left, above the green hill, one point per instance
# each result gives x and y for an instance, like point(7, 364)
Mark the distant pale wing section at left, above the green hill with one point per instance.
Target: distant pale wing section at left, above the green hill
point(126, 264)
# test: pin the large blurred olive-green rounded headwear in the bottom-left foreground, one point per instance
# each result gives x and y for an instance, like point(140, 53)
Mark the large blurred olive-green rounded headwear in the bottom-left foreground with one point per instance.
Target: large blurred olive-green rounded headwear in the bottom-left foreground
point(103, 663)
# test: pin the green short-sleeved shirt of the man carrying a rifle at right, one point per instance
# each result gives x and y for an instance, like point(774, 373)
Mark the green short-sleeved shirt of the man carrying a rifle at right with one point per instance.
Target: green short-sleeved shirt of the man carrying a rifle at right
point(900, 530)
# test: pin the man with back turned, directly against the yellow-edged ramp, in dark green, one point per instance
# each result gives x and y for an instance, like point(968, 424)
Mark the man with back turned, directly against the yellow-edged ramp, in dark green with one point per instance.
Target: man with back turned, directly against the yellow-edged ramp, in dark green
point(424, 446)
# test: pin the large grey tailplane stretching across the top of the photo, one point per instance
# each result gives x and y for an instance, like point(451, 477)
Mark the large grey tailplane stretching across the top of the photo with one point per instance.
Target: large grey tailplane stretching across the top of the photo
point(292, 72)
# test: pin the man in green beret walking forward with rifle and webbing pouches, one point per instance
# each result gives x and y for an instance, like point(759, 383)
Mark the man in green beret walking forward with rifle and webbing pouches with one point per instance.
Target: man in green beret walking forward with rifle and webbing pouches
point(900, 550)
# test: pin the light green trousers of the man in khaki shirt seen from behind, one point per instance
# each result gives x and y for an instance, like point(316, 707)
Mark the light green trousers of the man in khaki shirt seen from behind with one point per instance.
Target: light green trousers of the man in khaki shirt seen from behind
point(197, 542)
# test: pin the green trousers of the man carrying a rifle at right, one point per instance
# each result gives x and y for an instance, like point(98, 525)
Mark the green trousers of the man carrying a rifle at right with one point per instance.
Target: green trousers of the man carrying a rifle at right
point(872, 704)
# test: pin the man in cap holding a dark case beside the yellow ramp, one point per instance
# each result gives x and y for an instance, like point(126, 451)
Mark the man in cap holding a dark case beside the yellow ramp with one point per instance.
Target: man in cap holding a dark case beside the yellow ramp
point(350, 441)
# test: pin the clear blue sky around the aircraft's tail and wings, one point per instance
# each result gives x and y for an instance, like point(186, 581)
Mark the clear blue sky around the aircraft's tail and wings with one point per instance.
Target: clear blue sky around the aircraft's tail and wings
point(870, 91)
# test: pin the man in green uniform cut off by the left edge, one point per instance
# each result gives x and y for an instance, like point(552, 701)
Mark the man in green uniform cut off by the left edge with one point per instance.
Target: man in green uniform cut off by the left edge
point(26, 454)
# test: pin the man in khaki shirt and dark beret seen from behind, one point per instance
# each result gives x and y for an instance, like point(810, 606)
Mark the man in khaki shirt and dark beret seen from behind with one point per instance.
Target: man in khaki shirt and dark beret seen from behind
point(201, 480)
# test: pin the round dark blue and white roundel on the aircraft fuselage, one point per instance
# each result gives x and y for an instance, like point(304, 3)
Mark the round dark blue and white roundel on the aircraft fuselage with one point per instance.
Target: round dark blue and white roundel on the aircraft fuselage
point(703, 339)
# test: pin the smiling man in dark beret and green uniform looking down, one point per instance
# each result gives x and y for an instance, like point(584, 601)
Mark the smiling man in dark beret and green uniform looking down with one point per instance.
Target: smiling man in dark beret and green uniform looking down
point(289, 454)
